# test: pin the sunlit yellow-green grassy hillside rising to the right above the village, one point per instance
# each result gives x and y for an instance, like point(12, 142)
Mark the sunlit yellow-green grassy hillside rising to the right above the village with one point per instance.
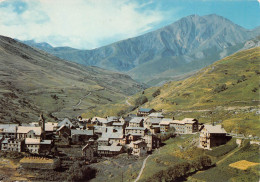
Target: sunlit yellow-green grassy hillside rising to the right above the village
point(235, 107)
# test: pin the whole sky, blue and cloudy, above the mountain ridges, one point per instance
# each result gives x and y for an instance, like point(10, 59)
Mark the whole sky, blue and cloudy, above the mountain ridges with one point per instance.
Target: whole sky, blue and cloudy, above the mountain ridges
point(89, 24)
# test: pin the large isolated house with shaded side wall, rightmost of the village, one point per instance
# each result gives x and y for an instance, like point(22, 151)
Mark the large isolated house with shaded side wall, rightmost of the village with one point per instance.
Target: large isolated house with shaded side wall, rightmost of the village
point(211, 136)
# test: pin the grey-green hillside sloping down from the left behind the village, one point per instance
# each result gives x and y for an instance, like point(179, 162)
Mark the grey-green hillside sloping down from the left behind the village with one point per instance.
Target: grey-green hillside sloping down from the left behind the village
point(33, 82)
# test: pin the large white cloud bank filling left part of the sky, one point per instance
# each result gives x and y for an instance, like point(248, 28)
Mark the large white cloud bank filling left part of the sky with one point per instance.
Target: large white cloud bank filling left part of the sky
point(79, 23)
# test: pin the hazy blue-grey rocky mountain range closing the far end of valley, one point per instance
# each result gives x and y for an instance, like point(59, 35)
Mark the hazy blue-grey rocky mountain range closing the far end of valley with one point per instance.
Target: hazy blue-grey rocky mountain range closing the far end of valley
point(171, 52)
